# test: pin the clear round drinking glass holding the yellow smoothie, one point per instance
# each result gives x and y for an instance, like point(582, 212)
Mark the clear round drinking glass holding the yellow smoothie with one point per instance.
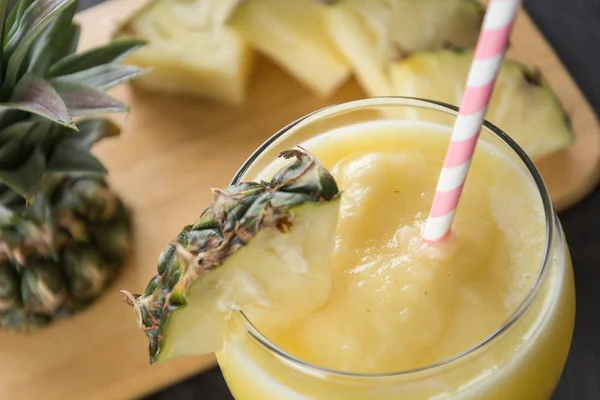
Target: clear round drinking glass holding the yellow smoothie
point(523, 359)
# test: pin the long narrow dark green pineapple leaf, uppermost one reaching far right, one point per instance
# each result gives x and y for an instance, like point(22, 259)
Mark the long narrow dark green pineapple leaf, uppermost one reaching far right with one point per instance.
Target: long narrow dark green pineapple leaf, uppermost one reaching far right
point(110, 53)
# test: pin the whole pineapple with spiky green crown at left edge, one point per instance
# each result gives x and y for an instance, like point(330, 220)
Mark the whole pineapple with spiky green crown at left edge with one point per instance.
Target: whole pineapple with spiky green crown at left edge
point(63, 233)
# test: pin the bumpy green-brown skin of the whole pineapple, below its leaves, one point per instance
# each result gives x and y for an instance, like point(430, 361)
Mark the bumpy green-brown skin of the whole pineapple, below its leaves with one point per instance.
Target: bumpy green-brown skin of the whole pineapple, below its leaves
point(85, 242)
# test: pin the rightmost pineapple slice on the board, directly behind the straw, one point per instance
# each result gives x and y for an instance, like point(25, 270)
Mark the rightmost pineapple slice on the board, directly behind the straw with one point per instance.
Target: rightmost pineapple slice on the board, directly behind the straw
point(522, 104)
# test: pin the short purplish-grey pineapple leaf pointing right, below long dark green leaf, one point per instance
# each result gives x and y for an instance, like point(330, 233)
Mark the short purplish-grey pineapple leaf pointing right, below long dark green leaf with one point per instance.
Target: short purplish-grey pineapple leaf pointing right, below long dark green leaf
point(81, 99)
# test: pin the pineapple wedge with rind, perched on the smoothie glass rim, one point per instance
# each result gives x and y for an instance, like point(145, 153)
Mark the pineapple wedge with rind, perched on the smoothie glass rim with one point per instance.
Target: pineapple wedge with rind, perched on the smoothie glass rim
point(262, 248)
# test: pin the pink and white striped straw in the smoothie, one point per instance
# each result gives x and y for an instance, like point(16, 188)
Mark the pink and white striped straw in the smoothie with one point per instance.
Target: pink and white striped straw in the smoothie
point(489, 53)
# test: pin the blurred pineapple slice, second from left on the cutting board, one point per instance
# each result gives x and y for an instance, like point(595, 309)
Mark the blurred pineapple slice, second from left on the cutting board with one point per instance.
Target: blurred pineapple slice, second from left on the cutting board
point(294, 35)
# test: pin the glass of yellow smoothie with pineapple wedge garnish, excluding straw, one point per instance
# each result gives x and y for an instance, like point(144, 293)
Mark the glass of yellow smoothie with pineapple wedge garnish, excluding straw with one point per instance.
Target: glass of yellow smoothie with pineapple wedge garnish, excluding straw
point(308, 278)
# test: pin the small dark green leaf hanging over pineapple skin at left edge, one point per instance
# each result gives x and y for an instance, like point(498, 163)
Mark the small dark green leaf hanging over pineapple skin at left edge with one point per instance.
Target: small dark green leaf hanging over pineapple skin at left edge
point(25, 180)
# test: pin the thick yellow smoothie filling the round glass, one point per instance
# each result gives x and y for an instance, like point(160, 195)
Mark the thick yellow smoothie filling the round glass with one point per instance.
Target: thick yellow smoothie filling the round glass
point(399, 304)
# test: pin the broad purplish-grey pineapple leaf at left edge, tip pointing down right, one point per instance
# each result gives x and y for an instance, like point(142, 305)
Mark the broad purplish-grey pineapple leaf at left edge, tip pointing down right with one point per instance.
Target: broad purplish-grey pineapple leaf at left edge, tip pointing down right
point(35, 95)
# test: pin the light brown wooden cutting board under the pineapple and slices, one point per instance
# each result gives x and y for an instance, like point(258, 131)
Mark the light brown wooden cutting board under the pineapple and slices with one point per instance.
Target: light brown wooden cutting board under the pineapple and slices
point(171, 152)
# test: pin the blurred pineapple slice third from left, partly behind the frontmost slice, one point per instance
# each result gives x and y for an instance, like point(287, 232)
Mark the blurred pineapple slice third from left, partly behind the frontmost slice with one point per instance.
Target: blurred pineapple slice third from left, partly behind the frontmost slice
point(374, 33)
